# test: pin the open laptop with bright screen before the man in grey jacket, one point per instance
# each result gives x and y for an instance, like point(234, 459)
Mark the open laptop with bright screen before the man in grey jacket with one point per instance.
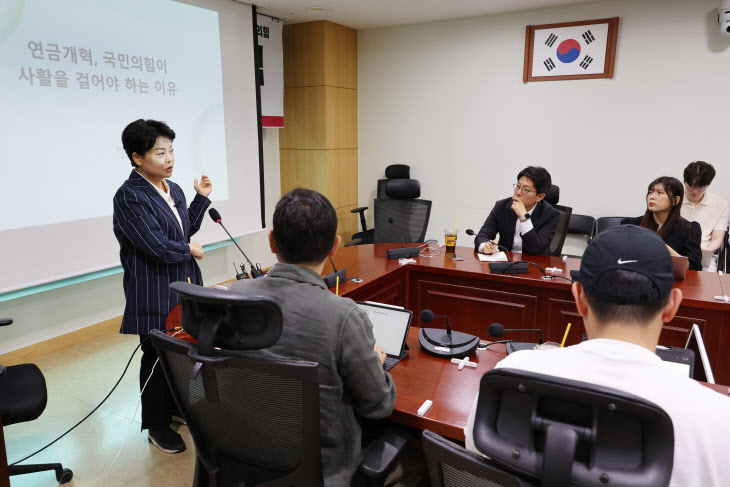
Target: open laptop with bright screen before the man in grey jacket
point(390, 328)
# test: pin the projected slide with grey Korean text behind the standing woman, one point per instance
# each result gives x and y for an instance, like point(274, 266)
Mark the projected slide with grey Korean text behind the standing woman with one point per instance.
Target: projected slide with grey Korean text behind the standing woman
point(74, 73)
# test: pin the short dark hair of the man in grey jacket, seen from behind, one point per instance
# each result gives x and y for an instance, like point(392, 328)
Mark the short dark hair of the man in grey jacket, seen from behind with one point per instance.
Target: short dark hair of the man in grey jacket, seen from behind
point(305, 227)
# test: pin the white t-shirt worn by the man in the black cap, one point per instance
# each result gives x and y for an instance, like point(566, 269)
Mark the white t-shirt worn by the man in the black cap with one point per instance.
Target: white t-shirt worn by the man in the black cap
point(700, 416)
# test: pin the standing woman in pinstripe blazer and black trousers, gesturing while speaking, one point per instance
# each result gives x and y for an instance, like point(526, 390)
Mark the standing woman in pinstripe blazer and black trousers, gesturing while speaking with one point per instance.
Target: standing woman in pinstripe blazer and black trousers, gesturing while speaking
point(153, 227)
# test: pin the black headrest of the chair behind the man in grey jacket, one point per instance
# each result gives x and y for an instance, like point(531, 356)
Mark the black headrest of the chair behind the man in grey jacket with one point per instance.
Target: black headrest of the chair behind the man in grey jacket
point(229, 320)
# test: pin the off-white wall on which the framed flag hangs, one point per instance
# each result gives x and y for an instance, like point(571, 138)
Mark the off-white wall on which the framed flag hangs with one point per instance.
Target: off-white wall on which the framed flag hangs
point(448, 99)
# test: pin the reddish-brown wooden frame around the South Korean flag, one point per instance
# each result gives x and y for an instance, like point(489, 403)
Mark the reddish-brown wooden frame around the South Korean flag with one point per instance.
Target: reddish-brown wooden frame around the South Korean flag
point(610, 56)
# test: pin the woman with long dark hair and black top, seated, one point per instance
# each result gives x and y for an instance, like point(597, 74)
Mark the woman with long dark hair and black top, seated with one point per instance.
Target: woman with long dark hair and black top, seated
point(663, 205)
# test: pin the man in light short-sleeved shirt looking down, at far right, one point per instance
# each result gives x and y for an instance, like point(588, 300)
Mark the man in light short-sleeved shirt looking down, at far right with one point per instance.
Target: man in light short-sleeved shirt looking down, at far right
point(707, 209)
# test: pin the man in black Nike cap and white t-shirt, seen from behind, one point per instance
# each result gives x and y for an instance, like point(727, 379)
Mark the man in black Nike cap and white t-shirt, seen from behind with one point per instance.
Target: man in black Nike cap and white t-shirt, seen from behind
point(624, 293)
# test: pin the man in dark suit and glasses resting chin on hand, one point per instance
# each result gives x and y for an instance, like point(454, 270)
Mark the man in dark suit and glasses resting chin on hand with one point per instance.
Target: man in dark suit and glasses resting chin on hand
point(525, 223)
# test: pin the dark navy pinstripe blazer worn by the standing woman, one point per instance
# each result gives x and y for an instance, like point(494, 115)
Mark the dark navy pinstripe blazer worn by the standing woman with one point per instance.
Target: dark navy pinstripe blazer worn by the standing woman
point(154, 250)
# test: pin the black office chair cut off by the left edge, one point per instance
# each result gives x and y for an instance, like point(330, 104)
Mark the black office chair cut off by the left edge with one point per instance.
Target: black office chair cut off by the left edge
point(23, 397)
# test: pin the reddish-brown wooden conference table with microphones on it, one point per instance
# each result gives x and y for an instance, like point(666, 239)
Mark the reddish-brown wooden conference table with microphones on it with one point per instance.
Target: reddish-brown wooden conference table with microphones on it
point(473, 298)
